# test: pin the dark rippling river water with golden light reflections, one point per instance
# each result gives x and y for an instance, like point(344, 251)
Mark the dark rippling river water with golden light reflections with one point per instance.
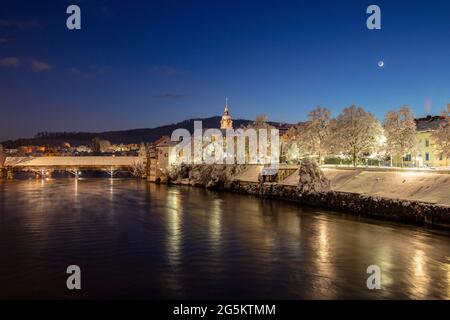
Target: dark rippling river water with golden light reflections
point(132, 239)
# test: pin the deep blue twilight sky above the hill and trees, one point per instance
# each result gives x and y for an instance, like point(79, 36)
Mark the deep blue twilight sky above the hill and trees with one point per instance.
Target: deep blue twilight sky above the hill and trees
point(141, 64)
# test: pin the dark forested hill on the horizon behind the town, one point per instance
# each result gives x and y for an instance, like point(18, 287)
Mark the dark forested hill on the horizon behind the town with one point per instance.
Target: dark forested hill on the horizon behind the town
point(117, 137)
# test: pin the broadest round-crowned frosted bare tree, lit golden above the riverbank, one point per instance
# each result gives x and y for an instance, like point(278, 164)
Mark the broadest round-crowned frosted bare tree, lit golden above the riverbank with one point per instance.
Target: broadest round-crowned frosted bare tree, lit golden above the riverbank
point(356, 132)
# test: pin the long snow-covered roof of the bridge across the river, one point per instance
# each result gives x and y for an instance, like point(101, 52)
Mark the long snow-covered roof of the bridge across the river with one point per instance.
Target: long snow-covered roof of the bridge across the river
point(94, 161)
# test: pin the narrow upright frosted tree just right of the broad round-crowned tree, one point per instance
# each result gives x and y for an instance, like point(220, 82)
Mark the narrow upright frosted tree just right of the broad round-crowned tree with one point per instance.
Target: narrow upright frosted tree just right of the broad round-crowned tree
point(400, 132)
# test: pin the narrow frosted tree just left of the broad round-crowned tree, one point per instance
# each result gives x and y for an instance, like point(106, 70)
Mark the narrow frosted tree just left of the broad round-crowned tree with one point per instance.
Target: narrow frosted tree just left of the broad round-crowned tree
point(316, 133)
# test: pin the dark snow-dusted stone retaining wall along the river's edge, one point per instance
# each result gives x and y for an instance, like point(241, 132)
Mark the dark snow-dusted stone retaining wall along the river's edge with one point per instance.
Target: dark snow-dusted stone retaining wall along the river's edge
point(411, 212)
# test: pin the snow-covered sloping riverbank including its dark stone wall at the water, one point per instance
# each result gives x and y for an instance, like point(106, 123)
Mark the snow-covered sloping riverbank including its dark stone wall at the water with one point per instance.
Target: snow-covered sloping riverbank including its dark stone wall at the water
point(358, 201)
